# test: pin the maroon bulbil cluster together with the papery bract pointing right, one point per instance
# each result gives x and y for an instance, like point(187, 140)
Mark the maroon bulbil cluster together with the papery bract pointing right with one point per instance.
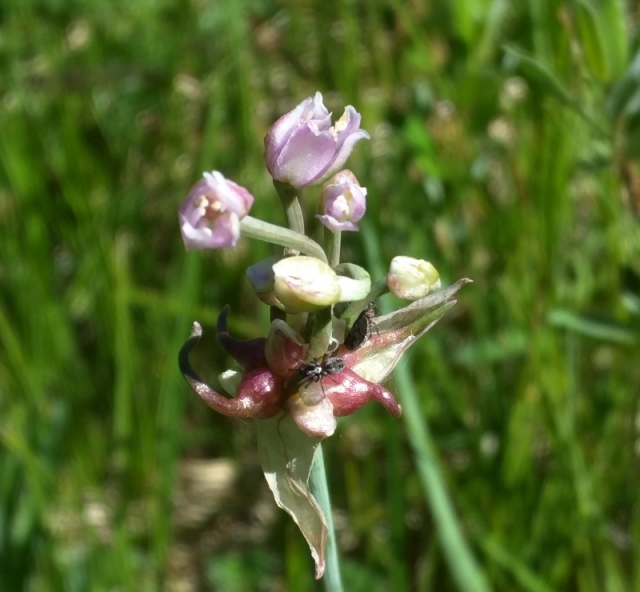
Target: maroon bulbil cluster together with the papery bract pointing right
point(277, 378)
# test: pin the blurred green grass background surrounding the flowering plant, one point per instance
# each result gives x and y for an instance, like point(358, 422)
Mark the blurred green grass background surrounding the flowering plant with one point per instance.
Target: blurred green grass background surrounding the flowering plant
point(505, 139)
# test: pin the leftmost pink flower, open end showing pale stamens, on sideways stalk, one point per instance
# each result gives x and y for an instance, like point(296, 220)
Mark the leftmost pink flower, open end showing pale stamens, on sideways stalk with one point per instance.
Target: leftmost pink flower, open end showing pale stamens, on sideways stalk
point(210, 216)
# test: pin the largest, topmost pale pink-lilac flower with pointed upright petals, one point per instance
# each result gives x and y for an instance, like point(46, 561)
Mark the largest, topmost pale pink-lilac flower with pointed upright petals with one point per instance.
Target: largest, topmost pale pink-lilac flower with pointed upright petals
point(303, 148)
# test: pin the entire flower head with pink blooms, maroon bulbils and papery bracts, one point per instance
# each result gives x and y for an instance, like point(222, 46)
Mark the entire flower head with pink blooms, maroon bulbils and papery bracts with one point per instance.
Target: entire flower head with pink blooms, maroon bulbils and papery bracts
point(326, 353)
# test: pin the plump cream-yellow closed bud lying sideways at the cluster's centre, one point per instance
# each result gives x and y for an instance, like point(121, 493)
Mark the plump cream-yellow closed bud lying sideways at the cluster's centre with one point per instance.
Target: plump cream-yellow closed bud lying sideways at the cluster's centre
point(305, 284)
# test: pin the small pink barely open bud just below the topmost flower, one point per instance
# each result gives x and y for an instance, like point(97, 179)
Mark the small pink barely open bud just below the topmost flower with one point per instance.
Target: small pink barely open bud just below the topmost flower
point(343, 202)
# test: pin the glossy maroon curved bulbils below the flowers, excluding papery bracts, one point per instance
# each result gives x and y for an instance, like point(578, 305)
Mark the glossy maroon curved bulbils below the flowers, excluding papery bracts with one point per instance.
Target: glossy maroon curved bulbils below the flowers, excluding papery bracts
point(272, 381)
